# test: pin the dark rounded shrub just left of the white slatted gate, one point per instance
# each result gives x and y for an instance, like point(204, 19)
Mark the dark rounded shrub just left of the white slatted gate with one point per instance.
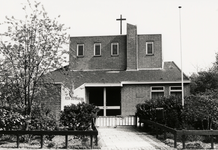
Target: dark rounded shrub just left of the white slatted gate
point(78, 117)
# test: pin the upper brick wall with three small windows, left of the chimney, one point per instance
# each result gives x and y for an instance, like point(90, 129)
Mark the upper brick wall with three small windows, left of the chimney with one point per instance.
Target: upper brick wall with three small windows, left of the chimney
point(103, 62)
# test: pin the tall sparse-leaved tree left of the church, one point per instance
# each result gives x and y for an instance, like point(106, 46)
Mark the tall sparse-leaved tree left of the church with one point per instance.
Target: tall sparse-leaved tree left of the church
point(31, 49)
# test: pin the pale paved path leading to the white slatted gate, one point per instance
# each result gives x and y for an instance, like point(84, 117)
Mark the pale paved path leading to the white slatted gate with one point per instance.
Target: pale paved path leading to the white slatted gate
point(128, 138)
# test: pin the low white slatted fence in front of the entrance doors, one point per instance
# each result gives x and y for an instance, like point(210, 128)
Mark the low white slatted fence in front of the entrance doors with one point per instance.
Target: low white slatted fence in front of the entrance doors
point(106, 121)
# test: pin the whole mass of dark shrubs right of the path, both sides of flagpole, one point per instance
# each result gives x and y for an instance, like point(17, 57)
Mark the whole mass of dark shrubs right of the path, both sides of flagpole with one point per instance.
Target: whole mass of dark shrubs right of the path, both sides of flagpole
point(199, 112)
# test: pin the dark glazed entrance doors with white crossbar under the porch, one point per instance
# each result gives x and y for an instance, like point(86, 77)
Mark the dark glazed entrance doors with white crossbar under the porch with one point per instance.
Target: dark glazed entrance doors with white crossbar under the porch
point(108, 99)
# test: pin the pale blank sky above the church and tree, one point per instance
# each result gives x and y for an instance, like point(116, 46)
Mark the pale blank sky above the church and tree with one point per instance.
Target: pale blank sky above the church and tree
point(198, 19)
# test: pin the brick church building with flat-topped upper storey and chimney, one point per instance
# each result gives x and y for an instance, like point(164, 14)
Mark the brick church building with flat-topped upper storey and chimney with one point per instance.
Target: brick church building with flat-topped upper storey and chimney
point(118, 72)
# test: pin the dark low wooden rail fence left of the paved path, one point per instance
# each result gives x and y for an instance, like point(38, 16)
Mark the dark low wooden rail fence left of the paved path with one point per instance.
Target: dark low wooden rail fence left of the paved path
point(93, 133)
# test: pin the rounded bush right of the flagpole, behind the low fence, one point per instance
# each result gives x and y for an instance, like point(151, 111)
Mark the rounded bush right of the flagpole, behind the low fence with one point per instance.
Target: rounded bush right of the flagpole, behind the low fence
point(200, 112)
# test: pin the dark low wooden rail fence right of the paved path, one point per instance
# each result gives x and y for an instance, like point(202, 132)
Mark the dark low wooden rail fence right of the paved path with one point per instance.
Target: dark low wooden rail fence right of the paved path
point(157, 127)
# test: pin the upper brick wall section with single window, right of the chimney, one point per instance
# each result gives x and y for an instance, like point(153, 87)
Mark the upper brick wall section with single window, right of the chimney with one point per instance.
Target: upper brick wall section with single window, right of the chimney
point(149, 61)
